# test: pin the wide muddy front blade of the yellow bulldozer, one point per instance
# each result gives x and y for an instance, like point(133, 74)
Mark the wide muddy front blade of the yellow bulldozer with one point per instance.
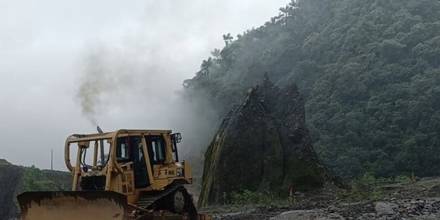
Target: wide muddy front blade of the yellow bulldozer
point(102, 205)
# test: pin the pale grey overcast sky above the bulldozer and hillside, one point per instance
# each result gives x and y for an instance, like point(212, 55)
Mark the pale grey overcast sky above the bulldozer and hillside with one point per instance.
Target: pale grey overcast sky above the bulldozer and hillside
point(45, 47)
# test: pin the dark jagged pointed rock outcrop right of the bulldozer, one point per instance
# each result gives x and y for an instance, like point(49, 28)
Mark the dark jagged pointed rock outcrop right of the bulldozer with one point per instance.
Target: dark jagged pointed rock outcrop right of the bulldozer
point(263, 145)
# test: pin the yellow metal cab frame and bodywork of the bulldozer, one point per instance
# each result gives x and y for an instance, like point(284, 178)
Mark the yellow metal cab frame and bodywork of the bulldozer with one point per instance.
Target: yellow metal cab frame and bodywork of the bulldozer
point(116, 174)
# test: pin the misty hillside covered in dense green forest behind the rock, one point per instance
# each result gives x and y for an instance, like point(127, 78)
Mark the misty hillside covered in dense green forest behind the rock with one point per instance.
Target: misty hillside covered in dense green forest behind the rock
point(369, 71)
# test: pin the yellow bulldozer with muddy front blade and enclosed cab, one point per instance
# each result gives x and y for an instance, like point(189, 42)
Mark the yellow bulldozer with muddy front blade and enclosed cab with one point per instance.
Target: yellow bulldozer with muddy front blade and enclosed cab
point(120, 175)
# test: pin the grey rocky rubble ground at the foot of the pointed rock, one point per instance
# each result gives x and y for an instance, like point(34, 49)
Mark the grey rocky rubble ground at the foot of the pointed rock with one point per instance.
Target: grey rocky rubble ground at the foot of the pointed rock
point(410, 200)
